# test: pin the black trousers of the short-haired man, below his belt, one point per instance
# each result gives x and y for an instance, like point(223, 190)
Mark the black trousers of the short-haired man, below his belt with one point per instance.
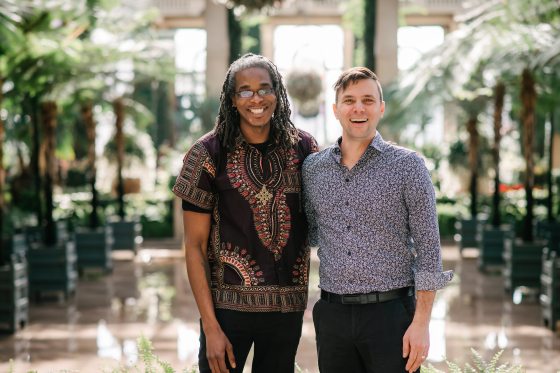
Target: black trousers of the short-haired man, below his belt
point(363, 337)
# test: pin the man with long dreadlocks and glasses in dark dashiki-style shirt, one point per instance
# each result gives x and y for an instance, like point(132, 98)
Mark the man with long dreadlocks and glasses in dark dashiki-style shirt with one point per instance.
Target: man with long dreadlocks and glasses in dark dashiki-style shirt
point(246, 249)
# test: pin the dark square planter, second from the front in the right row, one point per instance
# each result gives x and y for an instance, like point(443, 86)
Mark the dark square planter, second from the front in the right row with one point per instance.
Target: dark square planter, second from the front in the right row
point(523, 262)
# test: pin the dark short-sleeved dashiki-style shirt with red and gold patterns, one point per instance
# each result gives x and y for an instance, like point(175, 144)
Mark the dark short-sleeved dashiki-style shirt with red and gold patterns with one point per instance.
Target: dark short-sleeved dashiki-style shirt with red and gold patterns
point(258, 250)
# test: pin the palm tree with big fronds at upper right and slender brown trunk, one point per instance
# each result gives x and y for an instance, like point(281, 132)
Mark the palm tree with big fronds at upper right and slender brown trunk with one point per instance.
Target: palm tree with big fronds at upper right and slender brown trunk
point(507, 39)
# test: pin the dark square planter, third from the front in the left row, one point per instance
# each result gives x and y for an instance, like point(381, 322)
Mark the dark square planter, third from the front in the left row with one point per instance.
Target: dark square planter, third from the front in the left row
point(93, 248)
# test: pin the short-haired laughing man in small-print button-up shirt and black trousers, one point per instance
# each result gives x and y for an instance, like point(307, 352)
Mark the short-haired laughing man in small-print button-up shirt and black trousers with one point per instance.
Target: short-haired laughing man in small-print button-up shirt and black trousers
point(371, 210)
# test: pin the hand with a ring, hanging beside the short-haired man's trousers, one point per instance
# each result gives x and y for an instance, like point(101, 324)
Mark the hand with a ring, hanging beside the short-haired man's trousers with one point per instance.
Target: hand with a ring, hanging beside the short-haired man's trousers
point(416, 344)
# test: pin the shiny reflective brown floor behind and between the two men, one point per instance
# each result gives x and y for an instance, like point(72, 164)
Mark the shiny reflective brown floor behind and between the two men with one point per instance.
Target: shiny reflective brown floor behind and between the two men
point(148, 295)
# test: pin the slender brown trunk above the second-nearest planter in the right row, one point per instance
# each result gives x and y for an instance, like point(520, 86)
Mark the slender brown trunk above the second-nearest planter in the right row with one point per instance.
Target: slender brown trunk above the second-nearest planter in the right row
point(528, 101)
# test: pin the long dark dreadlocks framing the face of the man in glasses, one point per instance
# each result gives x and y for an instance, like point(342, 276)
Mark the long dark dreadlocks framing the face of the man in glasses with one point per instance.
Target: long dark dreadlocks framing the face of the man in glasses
point(282, 130)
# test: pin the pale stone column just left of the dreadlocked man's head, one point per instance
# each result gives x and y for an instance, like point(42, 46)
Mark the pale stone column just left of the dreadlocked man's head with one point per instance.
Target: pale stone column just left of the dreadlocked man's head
point(217, 47)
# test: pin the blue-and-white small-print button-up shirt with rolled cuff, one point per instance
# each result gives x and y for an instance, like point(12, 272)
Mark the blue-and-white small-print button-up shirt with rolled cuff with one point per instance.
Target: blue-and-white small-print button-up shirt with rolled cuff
point(376, 224)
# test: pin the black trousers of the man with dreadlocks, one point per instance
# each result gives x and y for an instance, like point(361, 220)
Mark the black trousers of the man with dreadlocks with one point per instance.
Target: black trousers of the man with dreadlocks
point(275, 335)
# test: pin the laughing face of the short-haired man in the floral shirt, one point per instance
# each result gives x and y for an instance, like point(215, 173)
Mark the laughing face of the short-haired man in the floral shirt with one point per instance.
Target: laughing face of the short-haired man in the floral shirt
point(358, 109)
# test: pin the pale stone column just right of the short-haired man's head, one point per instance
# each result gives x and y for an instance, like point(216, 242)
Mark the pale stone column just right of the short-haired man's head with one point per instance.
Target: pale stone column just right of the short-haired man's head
point(387, 25)
